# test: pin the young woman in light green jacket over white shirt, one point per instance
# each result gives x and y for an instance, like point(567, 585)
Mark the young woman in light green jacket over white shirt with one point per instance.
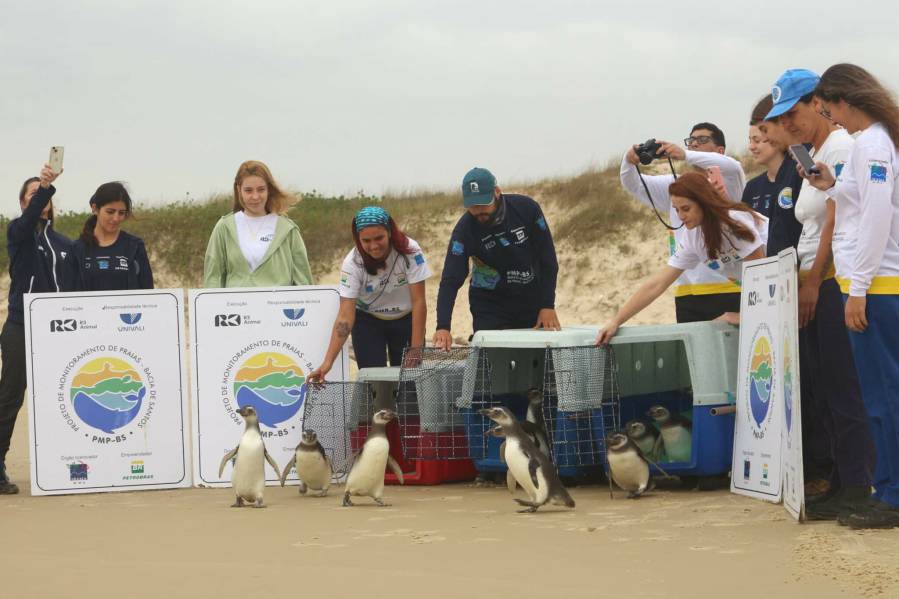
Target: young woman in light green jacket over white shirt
point(256, 245)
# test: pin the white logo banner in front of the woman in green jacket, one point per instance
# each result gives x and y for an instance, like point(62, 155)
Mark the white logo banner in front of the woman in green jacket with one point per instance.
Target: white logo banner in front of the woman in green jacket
point(255, 347)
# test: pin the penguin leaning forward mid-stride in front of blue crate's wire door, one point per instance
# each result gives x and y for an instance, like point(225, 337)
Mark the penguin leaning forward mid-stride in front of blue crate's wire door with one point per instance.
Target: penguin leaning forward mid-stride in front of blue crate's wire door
point(528, 465)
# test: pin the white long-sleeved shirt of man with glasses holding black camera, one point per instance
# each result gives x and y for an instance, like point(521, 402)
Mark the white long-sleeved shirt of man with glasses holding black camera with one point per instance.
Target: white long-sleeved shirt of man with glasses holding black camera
point(700, 280)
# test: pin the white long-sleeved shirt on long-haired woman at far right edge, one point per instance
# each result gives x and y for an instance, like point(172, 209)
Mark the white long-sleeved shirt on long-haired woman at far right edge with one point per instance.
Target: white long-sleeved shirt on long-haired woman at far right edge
point(866, 235)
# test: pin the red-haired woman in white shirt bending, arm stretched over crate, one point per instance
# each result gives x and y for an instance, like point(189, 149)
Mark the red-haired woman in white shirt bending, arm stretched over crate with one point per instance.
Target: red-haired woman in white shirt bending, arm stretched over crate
point(717, 232)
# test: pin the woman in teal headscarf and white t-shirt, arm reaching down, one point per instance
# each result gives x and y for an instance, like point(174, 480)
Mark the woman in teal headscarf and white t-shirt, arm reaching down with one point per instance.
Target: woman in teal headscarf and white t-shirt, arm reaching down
point(382, 294)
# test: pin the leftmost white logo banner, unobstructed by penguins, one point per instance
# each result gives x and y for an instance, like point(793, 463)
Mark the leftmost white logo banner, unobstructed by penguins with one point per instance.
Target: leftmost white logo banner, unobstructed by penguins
point(106, 386)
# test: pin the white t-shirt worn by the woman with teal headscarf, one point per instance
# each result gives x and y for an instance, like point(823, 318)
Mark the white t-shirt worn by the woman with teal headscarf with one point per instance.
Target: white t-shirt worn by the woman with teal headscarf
point(385, 294)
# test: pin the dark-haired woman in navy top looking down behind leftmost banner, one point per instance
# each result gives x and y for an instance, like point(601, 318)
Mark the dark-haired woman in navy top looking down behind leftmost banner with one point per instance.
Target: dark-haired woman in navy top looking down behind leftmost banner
point(106, 258)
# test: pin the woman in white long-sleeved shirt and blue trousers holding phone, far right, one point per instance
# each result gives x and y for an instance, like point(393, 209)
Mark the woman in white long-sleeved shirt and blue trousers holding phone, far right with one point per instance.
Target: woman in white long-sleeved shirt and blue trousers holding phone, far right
point(866, 255)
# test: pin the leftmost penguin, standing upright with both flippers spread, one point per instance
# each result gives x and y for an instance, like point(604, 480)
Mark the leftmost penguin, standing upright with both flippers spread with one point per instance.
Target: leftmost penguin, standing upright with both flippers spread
point(248, 476)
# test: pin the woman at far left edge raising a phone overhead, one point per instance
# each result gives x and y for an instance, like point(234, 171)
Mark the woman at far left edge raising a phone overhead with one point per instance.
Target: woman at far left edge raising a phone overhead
point(36, 254)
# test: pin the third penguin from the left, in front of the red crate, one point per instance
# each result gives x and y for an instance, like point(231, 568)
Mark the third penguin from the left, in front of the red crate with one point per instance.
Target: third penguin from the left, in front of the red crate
point(366, 477)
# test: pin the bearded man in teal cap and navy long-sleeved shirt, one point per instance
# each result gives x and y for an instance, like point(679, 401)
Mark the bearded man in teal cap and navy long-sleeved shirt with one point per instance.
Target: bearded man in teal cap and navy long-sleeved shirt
point(514, 266)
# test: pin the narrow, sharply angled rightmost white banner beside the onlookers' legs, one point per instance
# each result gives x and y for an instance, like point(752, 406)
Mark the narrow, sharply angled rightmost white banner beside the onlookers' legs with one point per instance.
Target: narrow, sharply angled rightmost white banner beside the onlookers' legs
point(788, 292)
